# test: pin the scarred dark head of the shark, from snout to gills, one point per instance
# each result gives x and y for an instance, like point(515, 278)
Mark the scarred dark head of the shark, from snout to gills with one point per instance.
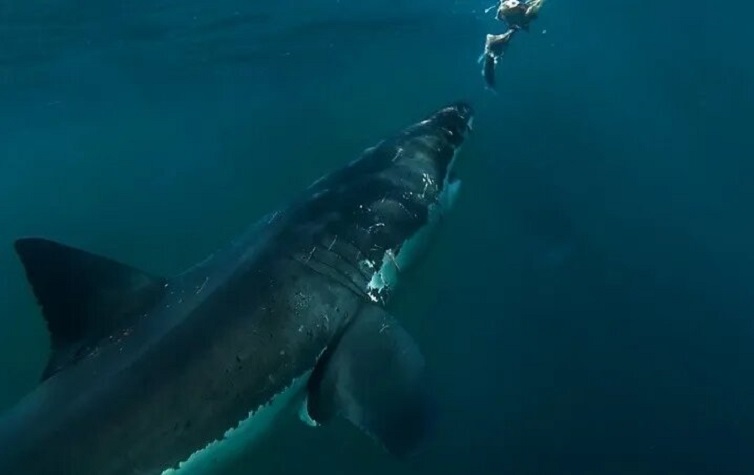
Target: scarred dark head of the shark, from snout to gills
point(384, 206)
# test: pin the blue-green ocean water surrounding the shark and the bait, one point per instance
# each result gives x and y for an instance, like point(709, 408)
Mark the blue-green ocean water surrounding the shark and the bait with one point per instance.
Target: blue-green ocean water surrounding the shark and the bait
point(588, 307)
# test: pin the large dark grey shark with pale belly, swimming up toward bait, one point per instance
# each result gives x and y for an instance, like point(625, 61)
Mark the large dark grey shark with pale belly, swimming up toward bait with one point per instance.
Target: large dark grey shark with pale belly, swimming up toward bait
point(151, 375)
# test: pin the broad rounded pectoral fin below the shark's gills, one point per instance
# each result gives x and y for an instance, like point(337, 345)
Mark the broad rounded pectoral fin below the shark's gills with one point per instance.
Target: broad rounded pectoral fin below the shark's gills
point(375, 377)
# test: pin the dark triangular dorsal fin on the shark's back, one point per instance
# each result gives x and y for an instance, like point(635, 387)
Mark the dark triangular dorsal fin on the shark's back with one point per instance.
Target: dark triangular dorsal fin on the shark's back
point(84, 297)
